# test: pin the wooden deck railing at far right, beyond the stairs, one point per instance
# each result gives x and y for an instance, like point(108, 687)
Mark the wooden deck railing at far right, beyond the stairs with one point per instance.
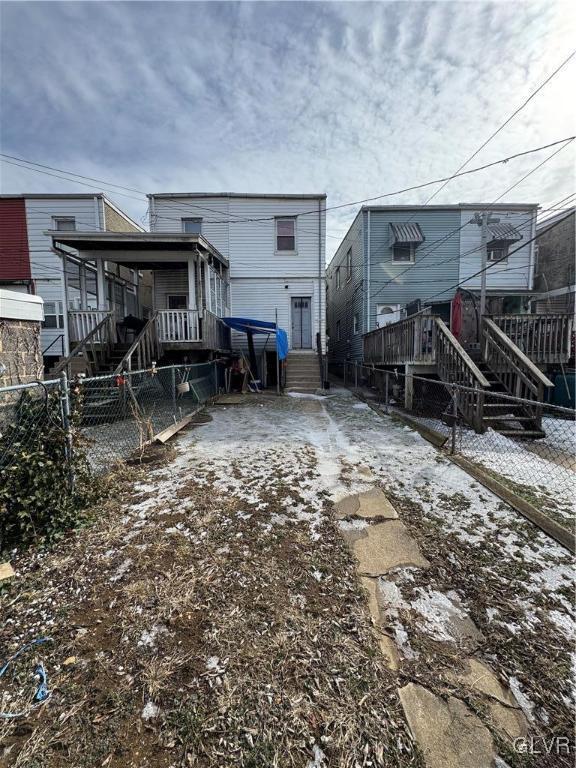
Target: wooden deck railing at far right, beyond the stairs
point(543, 338)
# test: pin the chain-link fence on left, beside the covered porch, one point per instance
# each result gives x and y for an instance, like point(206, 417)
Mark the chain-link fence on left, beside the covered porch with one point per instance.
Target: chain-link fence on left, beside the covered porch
point(114, 417)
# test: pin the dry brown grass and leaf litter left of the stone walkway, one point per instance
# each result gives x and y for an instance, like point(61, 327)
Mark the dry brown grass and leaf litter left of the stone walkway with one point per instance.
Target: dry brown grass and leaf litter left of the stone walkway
point(193, 601)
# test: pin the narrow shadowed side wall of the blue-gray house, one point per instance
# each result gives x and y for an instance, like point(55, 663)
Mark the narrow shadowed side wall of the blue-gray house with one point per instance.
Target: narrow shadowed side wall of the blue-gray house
point(346, 301)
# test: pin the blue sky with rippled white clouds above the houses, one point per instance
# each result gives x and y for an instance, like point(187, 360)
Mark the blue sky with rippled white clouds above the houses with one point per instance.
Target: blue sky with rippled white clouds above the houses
point(353, 99)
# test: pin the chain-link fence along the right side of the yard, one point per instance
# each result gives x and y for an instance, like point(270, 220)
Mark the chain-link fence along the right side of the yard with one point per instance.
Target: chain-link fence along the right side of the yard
point(529, 446)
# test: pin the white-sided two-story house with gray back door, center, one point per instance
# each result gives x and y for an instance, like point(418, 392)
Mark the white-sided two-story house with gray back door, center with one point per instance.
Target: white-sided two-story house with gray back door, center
point(276, 248)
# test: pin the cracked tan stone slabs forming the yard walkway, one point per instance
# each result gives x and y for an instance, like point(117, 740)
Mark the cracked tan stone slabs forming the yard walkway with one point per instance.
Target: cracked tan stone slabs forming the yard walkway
point(448, 732)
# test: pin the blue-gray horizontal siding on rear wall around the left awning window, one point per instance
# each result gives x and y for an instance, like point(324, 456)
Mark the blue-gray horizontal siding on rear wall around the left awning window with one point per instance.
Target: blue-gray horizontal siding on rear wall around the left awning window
point(436, 259)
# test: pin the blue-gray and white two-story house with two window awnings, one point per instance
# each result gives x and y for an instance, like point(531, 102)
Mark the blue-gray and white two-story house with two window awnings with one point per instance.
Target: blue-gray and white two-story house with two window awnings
point(394, 259)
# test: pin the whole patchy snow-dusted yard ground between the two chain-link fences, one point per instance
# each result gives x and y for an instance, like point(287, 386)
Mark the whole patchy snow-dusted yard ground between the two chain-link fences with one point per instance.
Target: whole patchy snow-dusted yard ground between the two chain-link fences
point(212, 613)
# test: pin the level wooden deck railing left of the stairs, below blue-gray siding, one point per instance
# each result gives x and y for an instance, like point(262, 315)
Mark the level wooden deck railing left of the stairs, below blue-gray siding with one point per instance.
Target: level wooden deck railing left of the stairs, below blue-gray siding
point(408, 341)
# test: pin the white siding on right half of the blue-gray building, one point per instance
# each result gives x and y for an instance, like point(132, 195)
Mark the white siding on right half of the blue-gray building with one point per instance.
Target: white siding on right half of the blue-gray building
point(517, 271)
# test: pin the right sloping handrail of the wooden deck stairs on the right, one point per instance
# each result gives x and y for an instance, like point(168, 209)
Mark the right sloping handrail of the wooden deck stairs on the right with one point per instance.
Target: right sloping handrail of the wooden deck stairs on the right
point(516, 372)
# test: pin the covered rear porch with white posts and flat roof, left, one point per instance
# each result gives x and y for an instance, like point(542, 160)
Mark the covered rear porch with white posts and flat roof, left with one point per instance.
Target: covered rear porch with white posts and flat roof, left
point(190, 295)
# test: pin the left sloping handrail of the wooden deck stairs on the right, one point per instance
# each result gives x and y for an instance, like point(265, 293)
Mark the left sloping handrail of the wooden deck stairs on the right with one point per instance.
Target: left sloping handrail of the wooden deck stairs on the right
point(455, 366)
